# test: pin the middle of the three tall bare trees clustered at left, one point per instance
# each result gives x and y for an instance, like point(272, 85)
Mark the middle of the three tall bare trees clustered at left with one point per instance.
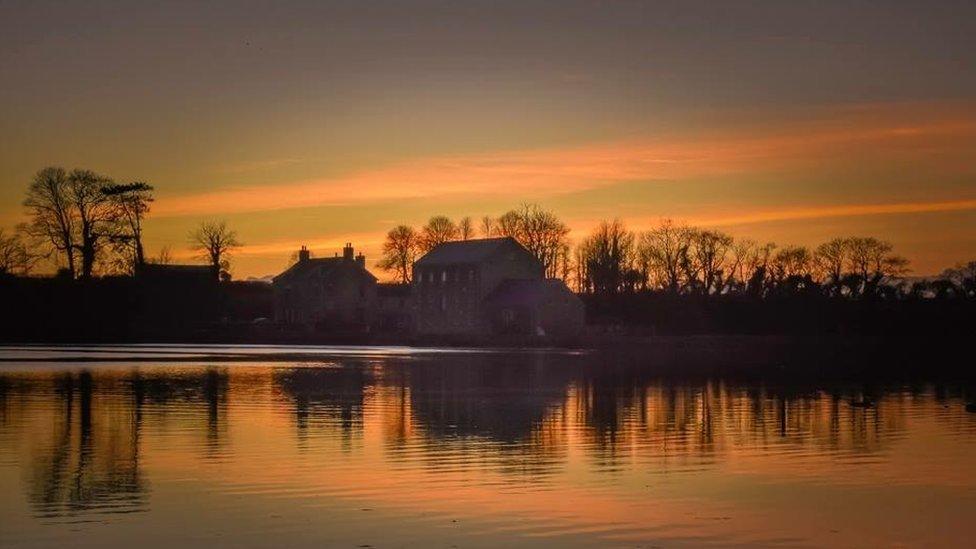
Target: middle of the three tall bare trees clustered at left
point(95, 214)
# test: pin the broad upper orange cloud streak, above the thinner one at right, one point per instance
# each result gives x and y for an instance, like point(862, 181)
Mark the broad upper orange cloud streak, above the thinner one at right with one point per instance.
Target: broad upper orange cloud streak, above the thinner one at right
point(537, 174)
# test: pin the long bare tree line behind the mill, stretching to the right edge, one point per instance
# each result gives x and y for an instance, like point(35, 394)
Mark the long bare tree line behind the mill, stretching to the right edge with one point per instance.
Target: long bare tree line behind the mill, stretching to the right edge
point(676, 259)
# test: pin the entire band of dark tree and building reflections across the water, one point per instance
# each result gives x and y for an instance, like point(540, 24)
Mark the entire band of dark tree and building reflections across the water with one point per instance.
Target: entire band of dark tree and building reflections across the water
point(526, 417)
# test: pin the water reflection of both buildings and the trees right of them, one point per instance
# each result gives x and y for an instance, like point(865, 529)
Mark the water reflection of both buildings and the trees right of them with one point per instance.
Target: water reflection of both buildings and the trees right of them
point(521, 413)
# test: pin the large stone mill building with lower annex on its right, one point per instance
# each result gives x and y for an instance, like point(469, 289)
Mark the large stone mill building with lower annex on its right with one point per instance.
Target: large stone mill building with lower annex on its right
point(490, 286)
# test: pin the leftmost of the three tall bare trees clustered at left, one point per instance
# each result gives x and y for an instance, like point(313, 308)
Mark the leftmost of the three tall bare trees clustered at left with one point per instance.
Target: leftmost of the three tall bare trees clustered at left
point(52, 217)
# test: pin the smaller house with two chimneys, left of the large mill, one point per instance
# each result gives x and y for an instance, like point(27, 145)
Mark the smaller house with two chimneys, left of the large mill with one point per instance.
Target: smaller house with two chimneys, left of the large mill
point(323, 293)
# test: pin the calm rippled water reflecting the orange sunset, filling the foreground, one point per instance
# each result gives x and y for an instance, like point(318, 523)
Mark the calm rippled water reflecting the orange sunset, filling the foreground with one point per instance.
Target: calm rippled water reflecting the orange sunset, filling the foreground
point(244, 447)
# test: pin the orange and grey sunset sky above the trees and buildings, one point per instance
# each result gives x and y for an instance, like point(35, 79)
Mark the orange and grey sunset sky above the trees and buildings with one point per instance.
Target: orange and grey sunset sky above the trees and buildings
point(320, 123)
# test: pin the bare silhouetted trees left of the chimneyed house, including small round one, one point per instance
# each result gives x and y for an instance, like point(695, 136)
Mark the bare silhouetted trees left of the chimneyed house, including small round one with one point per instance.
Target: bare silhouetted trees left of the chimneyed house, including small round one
point(86, 223)
